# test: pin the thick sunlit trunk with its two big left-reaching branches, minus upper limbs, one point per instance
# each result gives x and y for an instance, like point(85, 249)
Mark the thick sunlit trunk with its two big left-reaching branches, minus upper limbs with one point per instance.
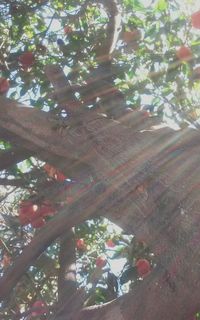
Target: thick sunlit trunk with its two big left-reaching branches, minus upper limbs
point(147, 182)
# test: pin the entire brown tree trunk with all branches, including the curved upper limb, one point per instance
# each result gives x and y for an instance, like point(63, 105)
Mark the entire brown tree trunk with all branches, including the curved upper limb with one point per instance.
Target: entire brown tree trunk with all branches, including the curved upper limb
point(145, 181)
